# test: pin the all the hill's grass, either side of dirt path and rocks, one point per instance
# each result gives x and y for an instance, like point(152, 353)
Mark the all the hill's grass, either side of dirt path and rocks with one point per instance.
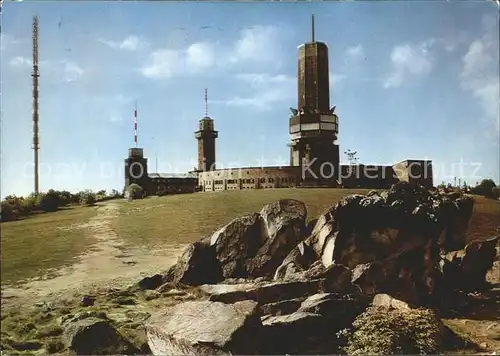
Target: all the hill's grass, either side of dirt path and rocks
point(33, 246)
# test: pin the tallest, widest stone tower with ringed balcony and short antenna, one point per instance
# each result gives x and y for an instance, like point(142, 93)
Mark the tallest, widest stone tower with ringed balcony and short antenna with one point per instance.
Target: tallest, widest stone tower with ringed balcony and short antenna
point(313, 125)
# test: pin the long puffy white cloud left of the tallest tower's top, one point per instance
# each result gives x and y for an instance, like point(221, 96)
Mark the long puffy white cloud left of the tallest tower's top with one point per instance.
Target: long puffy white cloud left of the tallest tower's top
point(258, 44)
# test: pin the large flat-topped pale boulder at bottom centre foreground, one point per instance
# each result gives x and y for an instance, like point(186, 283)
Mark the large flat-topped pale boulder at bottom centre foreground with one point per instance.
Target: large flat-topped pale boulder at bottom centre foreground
point(205, 328)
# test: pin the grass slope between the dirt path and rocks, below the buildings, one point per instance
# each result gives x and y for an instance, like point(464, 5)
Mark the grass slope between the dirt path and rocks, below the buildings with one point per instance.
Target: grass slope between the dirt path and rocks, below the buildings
point(181, 219)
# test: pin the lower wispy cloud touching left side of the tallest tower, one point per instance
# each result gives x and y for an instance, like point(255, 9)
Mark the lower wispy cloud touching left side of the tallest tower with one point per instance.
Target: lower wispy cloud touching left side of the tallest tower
point(268, 89)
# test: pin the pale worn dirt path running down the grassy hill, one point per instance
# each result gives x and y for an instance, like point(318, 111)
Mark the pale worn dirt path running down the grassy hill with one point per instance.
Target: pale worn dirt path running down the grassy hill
point(109, 262)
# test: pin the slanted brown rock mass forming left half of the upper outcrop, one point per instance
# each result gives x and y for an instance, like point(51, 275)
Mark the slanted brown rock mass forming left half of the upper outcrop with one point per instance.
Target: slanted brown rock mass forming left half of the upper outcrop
point(252, 246)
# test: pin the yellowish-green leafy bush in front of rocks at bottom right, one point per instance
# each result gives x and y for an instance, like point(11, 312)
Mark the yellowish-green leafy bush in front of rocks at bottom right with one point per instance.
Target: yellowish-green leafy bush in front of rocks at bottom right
point(392, 331)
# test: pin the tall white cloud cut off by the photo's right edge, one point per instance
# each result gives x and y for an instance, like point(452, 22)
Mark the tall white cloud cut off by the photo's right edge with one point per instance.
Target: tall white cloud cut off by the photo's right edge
point(480, 73)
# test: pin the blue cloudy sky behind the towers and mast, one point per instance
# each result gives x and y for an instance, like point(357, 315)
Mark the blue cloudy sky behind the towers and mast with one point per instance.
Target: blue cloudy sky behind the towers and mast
point(411, 80)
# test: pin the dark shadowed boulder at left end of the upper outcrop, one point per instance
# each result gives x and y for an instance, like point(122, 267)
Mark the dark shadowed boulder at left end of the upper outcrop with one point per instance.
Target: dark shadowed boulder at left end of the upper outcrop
point(197, 265)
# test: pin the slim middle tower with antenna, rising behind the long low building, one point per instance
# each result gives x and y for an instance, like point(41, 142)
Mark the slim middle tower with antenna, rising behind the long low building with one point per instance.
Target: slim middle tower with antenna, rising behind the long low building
point(206, 136)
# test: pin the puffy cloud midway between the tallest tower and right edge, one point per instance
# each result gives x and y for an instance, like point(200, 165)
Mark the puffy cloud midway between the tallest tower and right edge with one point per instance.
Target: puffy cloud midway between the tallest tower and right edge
point(408, 60)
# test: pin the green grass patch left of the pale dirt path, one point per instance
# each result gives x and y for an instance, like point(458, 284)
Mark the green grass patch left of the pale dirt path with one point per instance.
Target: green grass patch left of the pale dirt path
point(32, 246)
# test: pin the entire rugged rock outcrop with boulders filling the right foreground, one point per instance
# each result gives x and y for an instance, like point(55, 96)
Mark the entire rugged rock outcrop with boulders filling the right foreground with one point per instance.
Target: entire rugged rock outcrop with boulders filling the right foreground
point(293, 287)
